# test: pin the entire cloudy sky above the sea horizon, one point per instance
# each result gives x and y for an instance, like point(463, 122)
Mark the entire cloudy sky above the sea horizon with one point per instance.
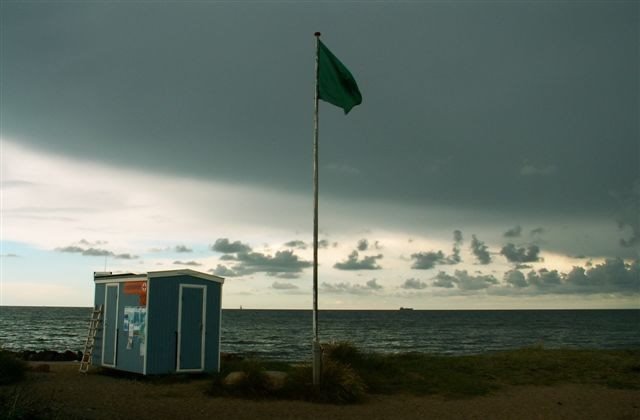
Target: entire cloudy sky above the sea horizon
point(494, 162)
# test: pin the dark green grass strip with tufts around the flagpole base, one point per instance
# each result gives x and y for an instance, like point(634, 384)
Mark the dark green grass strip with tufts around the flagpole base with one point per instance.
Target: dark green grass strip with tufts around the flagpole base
point(351, 374)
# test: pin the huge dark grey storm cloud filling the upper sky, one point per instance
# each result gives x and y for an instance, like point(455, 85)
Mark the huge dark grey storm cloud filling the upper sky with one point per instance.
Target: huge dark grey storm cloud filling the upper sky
point(133, 79)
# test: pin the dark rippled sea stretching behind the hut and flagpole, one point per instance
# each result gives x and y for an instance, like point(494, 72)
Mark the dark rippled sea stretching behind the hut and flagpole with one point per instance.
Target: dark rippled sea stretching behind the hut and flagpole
point(287, 334)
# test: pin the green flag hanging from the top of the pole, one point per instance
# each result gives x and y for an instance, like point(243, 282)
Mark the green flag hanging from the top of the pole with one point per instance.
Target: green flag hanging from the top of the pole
point(336, 85)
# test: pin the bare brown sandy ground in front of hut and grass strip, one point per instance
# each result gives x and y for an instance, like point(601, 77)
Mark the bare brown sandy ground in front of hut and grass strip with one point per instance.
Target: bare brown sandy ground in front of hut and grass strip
point(99, 396)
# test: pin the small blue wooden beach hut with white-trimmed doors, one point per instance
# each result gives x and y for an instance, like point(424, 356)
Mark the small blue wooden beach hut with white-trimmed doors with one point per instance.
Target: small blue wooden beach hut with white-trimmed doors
point(158, 322)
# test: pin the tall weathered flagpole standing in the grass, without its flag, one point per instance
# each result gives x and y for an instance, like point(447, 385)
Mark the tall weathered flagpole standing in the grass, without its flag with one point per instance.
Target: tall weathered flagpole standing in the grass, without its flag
point(317, 349)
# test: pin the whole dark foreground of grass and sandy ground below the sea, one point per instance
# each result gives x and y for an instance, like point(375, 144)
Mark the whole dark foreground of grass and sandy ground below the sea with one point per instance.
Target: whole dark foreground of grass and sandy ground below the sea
point(527, 383)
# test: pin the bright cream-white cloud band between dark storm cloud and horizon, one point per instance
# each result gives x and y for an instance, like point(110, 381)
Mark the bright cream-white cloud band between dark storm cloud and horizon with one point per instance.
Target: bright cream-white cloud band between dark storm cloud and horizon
point(50, 202)
